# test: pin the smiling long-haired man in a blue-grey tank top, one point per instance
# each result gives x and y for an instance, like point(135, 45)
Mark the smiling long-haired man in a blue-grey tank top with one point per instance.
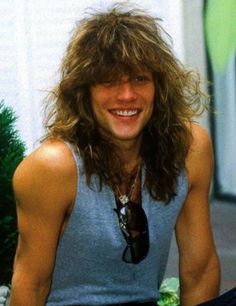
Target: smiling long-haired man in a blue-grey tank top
point(122, 166)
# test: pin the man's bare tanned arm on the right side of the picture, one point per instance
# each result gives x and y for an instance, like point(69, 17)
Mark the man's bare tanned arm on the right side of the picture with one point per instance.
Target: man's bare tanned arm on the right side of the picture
point(199, 264)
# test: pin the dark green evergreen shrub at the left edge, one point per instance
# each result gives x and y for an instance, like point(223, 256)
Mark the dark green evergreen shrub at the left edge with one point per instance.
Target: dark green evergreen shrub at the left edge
point(11, 153)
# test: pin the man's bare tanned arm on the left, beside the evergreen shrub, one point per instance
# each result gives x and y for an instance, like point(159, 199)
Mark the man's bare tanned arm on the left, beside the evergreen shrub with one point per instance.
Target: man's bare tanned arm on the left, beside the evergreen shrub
point(44, 185)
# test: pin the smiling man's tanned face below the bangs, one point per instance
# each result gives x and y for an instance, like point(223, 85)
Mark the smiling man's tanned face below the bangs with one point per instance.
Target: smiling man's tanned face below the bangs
point(123, 107)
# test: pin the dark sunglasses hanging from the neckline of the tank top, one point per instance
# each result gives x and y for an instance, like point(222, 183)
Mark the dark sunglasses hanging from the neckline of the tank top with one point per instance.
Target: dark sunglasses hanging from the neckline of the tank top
point(134, 226)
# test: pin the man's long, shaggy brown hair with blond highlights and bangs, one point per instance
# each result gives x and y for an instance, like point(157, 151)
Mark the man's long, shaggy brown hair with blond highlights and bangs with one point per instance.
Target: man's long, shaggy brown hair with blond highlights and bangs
point(104, 46)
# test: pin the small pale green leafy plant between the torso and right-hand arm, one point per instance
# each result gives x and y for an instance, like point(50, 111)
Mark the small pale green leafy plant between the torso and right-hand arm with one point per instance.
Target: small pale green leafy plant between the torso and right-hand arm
point(169, 292)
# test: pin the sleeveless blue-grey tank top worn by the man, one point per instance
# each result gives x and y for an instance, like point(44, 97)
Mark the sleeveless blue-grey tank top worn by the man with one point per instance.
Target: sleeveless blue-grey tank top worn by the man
point(89, 269)
